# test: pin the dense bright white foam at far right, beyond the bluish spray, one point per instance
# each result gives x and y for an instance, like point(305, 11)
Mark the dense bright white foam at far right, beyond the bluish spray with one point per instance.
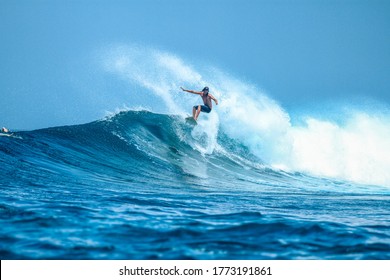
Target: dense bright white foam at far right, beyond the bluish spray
point(358, 151)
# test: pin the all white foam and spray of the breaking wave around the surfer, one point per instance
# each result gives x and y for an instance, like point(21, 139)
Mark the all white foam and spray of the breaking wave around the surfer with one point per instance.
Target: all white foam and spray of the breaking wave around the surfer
point(358, 150)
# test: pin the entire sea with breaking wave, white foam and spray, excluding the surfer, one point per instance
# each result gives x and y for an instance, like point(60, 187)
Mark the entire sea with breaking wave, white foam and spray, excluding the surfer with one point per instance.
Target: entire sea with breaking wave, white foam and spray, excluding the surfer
point(250, 181)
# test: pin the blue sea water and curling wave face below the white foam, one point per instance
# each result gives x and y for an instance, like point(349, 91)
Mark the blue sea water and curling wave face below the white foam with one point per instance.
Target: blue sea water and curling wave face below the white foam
point(141, 185)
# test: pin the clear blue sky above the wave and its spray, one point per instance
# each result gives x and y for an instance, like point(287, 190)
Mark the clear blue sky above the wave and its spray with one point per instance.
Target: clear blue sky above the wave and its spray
point(299, 52)
